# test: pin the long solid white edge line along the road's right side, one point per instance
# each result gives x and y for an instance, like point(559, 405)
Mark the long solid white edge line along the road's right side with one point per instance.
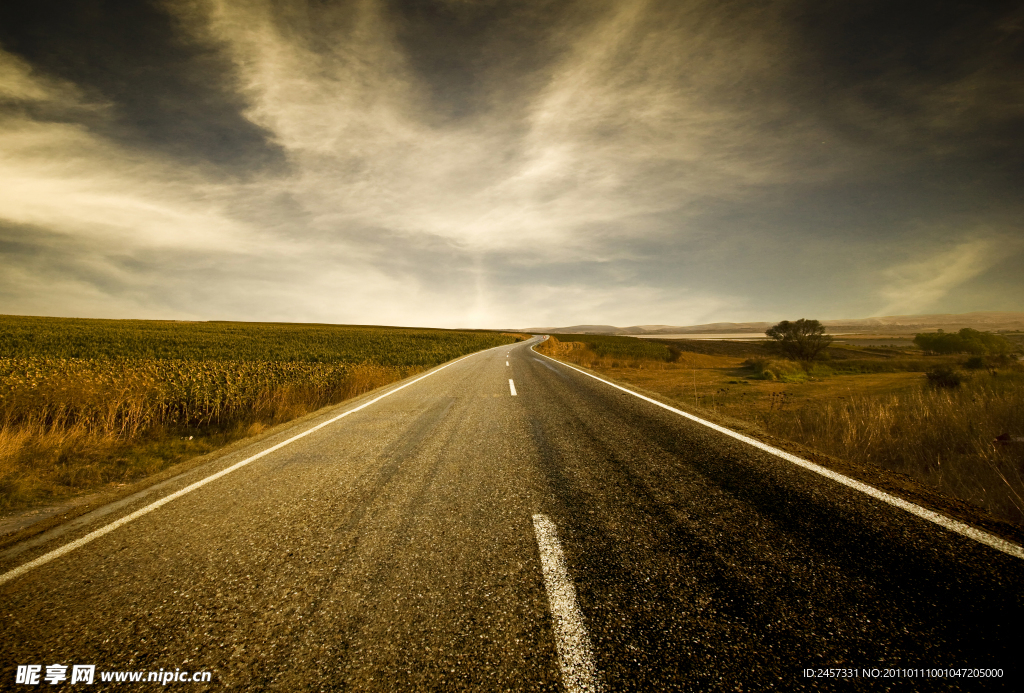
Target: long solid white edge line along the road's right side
point(948, 523)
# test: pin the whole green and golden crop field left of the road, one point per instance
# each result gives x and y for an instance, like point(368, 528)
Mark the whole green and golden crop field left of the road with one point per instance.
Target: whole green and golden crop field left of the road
point(87, 404)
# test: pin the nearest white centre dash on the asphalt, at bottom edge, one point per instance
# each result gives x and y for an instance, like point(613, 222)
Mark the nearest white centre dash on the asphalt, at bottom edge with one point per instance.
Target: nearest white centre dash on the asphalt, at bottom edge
point(576, 659)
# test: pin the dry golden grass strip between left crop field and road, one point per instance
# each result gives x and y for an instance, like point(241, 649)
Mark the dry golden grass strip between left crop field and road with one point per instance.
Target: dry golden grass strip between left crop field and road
point(75, 431)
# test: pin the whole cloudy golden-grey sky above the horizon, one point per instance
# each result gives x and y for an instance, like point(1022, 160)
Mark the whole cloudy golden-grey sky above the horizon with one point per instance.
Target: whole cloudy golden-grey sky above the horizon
point(511, 163)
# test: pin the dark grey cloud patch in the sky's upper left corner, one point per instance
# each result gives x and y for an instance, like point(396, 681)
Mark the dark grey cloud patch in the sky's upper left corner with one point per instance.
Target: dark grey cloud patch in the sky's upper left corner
point(166, 92)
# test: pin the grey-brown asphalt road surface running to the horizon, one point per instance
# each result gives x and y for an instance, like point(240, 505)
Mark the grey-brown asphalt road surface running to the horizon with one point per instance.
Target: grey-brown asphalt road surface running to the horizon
point(397, 549)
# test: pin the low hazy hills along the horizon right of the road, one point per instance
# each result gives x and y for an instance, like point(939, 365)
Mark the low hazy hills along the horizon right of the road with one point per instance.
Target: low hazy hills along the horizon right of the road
point(989, 321)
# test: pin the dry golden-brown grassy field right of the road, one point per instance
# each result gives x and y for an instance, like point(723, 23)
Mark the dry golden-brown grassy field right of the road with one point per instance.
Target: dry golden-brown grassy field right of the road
point(872, 407)
